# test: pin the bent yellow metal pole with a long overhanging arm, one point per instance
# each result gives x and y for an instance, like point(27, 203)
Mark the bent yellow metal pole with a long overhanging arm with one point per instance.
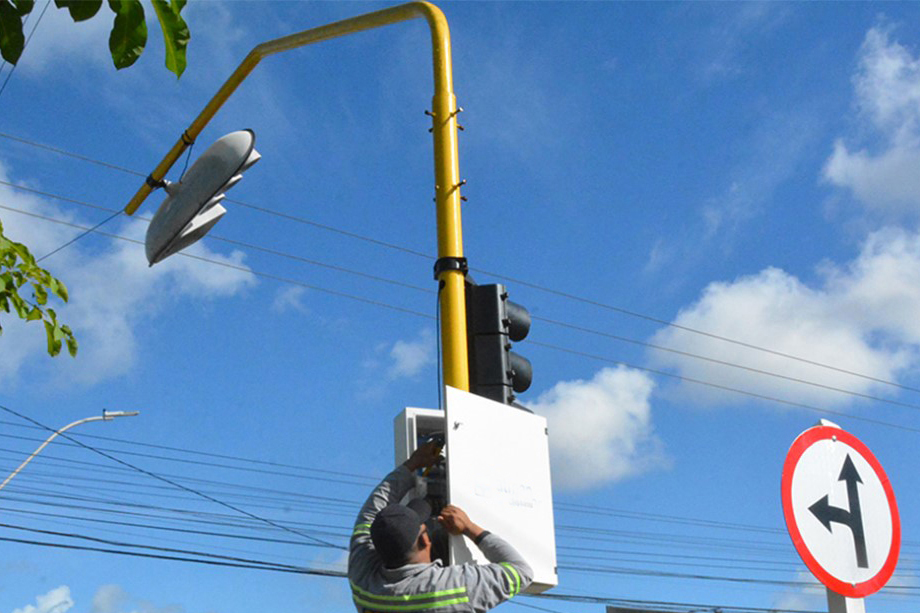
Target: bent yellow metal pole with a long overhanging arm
point(450, 271)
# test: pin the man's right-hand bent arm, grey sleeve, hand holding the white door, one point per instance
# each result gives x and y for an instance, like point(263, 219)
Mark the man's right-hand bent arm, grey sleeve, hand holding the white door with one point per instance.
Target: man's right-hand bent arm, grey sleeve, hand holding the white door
point(489, 584)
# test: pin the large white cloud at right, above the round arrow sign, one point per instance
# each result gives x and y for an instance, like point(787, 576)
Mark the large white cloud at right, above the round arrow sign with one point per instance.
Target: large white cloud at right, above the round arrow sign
point(861, 317)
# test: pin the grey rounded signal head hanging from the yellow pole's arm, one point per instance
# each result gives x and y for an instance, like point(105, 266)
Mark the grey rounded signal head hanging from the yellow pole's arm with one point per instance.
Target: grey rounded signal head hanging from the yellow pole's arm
point(192, 206)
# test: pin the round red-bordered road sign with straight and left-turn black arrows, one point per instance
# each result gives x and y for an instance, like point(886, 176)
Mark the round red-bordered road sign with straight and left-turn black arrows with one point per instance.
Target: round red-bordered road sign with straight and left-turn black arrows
point(840, 511)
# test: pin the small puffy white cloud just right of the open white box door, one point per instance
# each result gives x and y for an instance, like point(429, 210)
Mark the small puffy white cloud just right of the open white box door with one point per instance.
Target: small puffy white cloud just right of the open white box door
point(600, 430)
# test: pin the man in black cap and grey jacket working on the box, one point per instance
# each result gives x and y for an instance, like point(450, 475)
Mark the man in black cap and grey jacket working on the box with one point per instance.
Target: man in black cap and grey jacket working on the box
point(390, 567)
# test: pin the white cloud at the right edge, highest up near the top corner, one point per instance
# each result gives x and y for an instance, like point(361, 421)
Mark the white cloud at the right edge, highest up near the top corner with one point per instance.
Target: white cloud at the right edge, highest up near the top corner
point(887, 85)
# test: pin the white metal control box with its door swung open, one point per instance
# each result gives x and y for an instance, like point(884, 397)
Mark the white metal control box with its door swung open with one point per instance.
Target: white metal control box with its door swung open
point(497, 471)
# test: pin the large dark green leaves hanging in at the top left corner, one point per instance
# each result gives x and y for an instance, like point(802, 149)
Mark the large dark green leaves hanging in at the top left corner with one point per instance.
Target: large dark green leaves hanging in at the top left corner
point(129, 30)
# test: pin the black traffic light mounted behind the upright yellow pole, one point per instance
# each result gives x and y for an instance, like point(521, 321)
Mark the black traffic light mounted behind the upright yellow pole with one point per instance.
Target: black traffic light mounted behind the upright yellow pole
point(492, 322)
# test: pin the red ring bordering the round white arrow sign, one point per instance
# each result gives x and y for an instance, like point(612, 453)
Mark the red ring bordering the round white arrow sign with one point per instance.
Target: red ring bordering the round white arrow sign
point(850, 590)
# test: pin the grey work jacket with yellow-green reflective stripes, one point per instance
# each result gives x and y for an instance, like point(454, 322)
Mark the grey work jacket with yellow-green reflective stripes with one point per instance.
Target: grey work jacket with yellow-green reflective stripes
point(420, 588)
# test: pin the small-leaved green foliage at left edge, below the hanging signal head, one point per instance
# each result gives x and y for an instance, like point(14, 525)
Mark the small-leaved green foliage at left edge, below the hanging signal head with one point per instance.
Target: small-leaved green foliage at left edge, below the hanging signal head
point(19, 272)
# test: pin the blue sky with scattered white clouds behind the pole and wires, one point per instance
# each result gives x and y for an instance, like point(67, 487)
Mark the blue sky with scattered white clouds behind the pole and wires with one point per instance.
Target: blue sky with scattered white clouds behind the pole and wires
point(747, 170)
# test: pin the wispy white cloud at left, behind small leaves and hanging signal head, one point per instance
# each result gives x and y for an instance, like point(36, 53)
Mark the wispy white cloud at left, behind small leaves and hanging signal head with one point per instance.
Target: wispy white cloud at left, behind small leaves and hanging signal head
point(112, 290)
